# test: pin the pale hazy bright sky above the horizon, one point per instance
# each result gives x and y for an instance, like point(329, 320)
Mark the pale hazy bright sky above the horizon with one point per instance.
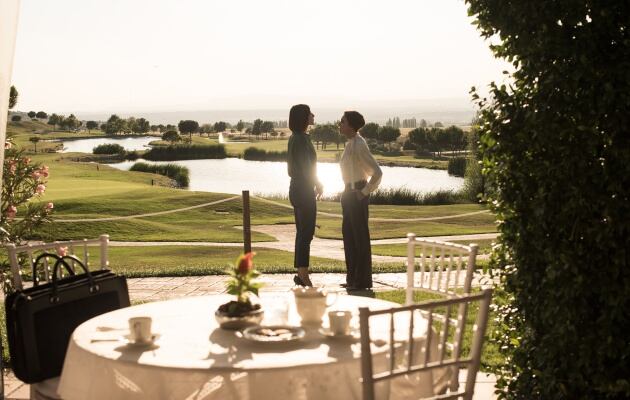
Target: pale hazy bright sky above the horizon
point(159, 55)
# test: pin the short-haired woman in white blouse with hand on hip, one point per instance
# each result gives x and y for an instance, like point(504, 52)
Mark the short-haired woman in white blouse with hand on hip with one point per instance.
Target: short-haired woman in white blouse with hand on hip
point(357, 165)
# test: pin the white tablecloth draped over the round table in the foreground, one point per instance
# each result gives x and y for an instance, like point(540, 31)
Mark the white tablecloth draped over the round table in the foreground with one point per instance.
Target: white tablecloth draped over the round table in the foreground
point(195, 359)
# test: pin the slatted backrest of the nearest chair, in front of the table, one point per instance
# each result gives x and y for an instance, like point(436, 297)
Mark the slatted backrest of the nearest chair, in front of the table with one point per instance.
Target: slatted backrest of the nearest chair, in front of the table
point(449, 334)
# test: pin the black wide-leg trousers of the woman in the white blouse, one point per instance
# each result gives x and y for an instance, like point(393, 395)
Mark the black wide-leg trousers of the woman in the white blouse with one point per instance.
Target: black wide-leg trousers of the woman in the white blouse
point(356, 240)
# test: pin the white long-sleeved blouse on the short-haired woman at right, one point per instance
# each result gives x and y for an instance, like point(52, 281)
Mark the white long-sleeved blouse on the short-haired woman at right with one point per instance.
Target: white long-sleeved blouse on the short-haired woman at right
point(357, 164)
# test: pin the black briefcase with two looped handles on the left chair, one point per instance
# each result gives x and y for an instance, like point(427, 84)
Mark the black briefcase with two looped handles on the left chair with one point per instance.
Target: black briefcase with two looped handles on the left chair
point(41, 319)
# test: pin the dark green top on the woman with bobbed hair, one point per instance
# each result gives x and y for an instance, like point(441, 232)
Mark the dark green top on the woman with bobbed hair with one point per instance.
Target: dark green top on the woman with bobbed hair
point(302, 158)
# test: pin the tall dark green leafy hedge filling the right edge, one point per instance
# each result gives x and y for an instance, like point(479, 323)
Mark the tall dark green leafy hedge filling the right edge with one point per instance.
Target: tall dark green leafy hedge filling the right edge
point(556, 148)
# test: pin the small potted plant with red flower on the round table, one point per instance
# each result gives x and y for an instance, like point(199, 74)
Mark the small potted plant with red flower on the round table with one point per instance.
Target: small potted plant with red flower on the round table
point(240, 313)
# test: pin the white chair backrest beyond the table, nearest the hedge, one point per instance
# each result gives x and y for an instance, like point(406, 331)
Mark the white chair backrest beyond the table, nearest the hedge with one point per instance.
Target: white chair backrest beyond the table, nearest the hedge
point(440, 266)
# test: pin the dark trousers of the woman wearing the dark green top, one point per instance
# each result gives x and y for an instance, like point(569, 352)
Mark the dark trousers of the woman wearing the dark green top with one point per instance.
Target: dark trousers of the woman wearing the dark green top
point(302, 197)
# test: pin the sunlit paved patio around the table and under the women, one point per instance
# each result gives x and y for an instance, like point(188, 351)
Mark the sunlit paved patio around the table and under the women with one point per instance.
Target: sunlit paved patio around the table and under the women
point(153, 289)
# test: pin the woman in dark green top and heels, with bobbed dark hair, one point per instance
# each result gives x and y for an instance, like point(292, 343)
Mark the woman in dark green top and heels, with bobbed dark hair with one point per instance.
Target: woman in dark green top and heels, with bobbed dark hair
point(304, 188)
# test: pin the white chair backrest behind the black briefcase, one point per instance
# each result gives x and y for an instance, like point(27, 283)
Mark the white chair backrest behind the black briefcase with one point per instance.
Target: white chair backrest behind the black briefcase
point(78, 248)
